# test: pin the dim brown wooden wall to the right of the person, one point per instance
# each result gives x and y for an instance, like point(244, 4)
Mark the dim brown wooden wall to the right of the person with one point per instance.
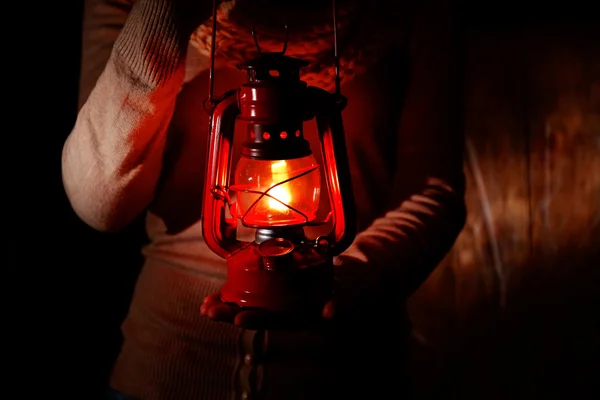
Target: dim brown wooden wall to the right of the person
point(513, 311)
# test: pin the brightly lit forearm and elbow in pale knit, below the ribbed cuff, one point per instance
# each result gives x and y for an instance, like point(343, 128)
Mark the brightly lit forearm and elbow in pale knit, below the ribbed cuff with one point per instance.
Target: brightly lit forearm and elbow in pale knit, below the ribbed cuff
point(112, 158)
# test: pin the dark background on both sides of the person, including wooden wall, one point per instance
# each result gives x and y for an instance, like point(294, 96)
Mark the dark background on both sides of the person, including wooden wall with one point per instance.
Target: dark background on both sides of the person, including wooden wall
point(511, 313)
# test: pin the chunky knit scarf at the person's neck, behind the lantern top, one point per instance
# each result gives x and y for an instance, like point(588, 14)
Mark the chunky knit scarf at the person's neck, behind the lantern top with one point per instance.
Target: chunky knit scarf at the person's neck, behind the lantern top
point(366, 30)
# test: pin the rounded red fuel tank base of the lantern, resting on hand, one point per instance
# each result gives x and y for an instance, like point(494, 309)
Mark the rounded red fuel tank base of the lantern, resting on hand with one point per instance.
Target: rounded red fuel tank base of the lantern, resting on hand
point(303, 285)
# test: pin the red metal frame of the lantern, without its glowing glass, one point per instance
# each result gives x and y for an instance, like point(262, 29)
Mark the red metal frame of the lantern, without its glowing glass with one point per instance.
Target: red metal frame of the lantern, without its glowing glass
point(219, 223)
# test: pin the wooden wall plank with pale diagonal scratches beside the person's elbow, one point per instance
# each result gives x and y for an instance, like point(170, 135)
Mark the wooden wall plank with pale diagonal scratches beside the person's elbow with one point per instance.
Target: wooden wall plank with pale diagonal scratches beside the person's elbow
point(461, 301)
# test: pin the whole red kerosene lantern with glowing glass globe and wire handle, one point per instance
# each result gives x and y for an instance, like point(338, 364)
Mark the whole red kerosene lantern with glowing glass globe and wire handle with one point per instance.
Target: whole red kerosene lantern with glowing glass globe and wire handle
point(277, 186)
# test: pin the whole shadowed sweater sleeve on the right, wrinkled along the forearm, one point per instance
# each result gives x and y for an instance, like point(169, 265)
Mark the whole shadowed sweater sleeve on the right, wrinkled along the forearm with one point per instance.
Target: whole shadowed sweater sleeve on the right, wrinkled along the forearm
point(400, 249)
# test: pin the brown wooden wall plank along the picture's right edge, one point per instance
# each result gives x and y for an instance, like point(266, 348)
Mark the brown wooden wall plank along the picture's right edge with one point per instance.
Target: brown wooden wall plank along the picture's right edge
point(552, 321)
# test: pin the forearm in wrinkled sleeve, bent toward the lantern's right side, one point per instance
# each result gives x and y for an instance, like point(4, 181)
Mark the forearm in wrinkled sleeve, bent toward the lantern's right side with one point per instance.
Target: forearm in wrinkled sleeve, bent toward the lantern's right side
point(400, 249)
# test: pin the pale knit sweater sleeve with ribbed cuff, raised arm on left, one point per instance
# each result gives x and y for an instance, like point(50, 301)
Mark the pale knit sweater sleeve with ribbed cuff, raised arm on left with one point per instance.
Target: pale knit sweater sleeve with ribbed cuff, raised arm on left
point(112, 159)
